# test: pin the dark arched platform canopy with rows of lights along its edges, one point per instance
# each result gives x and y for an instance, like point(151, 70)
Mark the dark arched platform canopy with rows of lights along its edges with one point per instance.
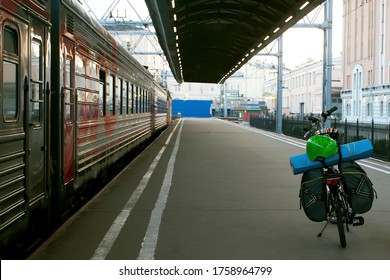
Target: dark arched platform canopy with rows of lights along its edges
point(208, 40)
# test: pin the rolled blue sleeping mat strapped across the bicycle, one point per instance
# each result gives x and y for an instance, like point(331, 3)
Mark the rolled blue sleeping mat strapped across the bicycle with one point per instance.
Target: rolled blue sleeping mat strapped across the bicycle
point(351, 151)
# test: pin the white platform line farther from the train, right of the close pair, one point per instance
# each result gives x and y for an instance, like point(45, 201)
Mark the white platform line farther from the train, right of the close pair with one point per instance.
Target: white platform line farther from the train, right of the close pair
point(151, 236)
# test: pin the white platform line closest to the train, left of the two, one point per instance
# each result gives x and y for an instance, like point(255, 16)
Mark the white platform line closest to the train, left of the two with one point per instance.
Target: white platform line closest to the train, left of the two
point(105, 245)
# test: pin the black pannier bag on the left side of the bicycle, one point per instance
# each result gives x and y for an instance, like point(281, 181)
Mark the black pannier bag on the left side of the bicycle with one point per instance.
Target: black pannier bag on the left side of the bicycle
point(313, 195)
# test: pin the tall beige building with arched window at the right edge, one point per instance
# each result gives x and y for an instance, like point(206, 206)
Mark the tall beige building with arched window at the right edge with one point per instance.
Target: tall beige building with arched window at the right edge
point(366, 61)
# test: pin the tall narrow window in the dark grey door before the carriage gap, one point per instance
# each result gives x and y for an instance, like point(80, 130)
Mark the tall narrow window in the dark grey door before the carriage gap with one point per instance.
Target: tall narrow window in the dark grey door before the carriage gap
point(36, 91)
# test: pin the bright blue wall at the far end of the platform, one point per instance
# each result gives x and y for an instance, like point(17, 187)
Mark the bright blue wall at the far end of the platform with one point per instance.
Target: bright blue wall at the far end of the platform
point(192, 108)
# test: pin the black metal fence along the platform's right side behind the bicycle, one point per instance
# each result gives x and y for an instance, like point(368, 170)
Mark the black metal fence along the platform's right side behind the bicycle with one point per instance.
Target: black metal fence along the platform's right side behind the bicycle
point(379, 134)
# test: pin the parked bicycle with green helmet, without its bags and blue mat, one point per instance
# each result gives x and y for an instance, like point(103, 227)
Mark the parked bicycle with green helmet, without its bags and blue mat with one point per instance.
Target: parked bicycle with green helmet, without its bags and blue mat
point(321, 144)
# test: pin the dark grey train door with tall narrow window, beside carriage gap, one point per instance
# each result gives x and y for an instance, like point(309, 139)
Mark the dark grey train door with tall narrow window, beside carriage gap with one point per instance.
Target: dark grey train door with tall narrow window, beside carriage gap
point(37, 95)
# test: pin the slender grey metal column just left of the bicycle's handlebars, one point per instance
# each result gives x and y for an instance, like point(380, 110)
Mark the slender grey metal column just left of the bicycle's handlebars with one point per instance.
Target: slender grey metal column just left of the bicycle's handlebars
point(279, 96)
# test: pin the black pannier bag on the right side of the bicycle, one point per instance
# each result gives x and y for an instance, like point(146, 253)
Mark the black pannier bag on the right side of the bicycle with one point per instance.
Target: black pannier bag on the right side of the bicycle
point(358, 186)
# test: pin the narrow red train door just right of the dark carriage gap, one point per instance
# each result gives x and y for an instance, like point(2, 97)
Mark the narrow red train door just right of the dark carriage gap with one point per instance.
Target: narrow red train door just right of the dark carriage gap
point(68, 109)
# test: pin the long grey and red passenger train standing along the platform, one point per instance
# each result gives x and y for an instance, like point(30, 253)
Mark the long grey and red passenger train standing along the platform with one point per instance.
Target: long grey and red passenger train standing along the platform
point(73, 102)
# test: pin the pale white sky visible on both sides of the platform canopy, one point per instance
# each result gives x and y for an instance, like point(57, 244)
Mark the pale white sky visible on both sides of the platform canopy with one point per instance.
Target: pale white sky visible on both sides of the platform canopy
point(299, 44)
